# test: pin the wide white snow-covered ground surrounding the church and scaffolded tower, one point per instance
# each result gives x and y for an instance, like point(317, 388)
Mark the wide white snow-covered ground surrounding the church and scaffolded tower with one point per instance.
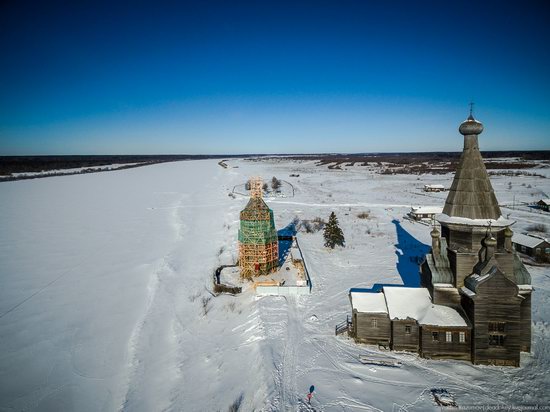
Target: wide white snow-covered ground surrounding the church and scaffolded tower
point(105, 303)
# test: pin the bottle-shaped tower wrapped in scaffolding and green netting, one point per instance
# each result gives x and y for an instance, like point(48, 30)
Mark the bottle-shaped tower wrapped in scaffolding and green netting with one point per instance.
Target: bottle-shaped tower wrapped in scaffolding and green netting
point(258, 241)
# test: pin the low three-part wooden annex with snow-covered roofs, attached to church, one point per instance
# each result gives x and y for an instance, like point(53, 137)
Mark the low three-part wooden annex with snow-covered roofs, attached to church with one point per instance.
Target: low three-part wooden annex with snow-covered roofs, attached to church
point(407, 319)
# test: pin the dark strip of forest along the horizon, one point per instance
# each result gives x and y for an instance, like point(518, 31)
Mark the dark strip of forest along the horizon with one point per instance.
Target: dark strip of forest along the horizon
point(21, 164)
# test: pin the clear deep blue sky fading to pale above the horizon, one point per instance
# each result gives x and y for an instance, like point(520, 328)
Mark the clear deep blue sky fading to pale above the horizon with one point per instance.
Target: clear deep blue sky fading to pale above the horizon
point(271, 76)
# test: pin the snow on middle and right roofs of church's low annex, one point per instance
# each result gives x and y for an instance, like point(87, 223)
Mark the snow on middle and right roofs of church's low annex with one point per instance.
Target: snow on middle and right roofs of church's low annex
point(415, 303)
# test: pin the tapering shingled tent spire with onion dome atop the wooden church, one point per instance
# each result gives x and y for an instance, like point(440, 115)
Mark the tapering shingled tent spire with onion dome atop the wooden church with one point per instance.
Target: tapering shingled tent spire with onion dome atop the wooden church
point(471, 195)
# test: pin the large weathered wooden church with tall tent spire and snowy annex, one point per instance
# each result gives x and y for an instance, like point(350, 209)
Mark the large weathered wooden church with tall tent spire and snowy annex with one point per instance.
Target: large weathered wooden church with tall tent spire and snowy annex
point(475, 302)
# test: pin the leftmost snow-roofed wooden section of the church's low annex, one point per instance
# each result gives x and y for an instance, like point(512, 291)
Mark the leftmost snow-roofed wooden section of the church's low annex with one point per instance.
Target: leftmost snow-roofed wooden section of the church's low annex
point(370, 321)
